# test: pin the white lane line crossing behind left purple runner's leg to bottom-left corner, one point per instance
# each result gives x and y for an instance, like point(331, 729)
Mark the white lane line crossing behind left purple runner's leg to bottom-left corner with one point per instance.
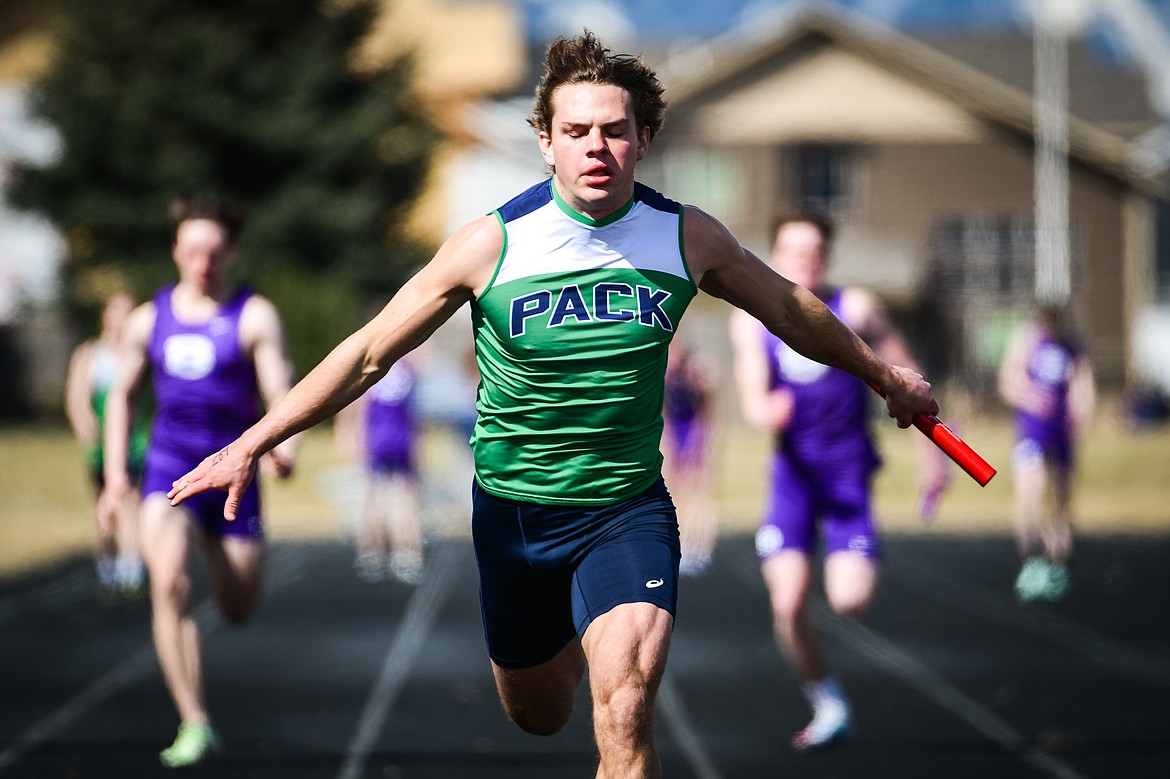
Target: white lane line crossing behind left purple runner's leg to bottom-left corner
point(122, 677)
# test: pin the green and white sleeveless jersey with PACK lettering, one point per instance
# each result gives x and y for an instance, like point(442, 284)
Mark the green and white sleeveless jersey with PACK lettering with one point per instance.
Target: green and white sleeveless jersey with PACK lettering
point(572, 340)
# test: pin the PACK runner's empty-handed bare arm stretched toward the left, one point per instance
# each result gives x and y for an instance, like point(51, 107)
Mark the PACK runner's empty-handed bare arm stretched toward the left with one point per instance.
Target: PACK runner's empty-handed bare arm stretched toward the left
point(460, 270)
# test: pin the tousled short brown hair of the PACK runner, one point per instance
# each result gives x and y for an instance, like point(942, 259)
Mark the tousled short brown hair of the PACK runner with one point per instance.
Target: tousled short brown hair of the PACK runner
point(586, 60)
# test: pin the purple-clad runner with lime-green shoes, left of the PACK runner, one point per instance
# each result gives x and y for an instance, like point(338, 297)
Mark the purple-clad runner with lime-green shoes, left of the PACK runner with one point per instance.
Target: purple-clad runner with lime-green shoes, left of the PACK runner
point(215, 354)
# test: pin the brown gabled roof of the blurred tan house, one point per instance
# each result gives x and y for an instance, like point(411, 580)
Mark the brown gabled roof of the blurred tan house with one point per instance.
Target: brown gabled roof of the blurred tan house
point(988, 80)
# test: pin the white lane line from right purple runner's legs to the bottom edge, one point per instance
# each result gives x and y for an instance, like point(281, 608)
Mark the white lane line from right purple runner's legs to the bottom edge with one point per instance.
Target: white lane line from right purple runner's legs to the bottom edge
point(917, 675)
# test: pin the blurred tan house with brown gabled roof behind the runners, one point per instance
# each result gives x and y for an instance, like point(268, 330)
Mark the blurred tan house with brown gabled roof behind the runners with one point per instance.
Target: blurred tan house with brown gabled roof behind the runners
point(923, 151)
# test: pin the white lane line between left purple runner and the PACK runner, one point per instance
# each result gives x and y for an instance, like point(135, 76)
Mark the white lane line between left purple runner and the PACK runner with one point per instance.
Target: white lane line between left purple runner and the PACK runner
point(424, 609)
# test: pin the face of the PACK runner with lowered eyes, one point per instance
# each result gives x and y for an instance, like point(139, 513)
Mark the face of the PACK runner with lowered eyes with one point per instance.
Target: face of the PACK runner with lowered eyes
point(593, 147)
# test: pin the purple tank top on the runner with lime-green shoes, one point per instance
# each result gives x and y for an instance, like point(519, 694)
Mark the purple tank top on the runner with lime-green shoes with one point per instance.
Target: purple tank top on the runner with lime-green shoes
point(205, 385)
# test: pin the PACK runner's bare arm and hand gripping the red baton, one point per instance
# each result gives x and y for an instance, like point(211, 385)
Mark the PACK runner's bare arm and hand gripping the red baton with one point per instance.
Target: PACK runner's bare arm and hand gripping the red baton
point(727, 271)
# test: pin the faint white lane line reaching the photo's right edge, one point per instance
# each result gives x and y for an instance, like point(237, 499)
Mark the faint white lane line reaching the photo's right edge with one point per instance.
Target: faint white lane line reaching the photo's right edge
point(1002, 609)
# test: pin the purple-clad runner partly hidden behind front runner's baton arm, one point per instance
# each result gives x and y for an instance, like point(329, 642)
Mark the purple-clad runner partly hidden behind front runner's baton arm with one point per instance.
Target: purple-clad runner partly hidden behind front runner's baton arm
point(822, 471)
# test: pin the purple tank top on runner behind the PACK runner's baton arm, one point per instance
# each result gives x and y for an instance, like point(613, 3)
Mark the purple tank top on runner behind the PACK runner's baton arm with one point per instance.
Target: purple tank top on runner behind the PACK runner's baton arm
point(830, 406)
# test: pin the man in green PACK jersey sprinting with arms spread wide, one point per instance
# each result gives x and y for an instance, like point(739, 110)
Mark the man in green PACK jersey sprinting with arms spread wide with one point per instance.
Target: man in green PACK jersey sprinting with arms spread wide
point(576, 288)
